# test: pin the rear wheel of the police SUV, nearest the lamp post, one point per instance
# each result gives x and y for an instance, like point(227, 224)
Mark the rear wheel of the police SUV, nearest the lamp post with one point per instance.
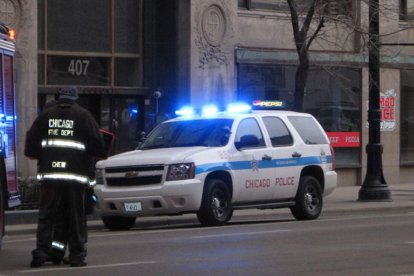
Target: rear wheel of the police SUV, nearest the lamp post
point(309, 200)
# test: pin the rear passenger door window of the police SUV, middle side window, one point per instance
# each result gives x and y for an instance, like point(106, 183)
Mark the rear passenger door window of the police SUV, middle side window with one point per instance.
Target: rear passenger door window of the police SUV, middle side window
point(278, 132)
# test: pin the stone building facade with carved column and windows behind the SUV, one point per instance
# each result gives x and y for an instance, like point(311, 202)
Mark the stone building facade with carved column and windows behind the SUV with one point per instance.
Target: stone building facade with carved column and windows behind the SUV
point(215, 51)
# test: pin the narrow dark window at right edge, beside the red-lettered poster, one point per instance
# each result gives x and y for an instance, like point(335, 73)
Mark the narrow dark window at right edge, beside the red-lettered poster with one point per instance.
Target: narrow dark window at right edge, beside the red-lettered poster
point(407, 118)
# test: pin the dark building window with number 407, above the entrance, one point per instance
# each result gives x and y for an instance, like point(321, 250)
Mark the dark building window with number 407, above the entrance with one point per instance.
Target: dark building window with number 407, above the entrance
point(94, 43)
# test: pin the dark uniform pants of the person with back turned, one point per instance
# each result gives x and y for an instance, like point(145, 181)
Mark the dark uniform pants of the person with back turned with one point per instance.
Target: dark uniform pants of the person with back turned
point(62, 205)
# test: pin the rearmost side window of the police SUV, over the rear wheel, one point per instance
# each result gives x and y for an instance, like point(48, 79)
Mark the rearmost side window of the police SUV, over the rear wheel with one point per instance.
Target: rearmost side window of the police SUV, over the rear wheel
point(308, 129)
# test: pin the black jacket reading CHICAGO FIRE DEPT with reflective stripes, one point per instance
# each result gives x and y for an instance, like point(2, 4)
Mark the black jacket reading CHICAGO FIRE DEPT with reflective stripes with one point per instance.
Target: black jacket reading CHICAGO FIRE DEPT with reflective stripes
point(65, 138)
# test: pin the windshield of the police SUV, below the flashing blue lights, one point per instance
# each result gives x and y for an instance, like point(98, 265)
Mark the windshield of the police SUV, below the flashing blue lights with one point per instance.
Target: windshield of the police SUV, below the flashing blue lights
point(192, 133)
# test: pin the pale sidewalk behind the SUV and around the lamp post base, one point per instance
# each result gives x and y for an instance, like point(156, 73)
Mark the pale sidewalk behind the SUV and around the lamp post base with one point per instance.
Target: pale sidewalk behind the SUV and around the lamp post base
point(343, 199)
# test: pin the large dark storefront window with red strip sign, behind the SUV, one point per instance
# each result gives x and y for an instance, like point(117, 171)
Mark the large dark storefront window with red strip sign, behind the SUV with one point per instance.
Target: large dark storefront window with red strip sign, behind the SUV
point(333, 96)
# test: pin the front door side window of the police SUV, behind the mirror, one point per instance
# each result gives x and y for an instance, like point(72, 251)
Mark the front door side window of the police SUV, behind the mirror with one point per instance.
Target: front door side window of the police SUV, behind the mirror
point(249, 134)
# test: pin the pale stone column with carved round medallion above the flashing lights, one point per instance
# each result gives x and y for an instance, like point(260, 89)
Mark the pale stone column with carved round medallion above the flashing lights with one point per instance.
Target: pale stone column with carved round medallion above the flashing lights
point(212, 64)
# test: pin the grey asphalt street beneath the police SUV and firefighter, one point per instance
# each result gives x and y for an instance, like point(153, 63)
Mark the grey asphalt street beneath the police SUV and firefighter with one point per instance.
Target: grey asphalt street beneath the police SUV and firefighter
point(358, 242)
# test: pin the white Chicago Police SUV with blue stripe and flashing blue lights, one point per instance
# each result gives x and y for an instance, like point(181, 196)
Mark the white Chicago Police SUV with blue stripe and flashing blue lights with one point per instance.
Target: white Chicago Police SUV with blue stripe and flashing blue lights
point(215, 162)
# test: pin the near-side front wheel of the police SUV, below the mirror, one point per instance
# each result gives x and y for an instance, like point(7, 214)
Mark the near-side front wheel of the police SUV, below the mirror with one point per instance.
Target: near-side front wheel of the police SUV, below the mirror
point(215, 207)
